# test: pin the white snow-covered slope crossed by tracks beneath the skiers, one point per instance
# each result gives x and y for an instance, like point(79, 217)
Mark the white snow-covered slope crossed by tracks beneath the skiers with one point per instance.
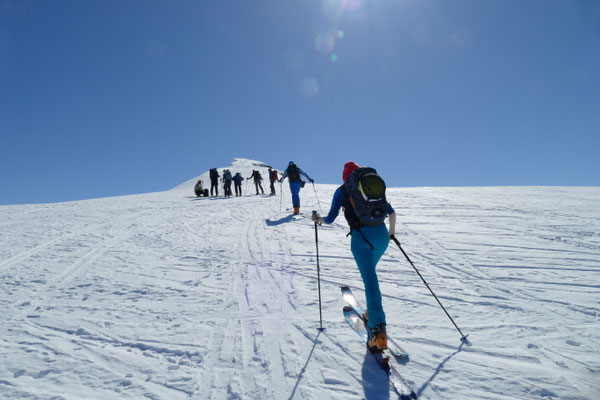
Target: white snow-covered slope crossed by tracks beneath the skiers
point(166, 296)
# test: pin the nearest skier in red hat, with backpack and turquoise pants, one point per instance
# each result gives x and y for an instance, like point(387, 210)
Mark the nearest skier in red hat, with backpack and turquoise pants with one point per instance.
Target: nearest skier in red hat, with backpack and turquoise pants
point(370, 237)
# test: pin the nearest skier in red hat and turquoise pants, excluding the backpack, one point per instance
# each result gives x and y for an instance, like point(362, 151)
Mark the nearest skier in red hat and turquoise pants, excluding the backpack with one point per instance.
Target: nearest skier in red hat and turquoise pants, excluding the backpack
point(368, 245)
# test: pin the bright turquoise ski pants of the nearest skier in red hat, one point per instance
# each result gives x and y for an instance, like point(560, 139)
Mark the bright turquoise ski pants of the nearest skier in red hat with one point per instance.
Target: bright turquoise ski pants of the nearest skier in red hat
point(366, 258)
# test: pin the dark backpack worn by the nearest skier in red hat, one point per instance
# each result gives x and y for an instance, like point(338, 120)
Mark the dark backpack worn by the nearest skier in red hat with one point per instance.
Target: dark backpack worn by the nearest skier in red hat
point(366, 193)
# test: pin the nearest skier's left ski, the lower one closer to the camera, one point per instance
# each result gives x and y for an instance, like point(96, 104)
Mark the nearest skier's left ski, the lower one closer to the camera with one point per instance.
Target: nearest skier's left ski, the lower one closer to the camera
point(383, 359)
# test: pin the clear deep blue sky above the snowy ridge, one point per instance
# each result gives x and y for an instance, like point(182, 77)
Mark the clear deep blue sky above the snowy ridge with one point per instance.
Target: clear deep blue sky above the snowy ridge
point(103, 98)
